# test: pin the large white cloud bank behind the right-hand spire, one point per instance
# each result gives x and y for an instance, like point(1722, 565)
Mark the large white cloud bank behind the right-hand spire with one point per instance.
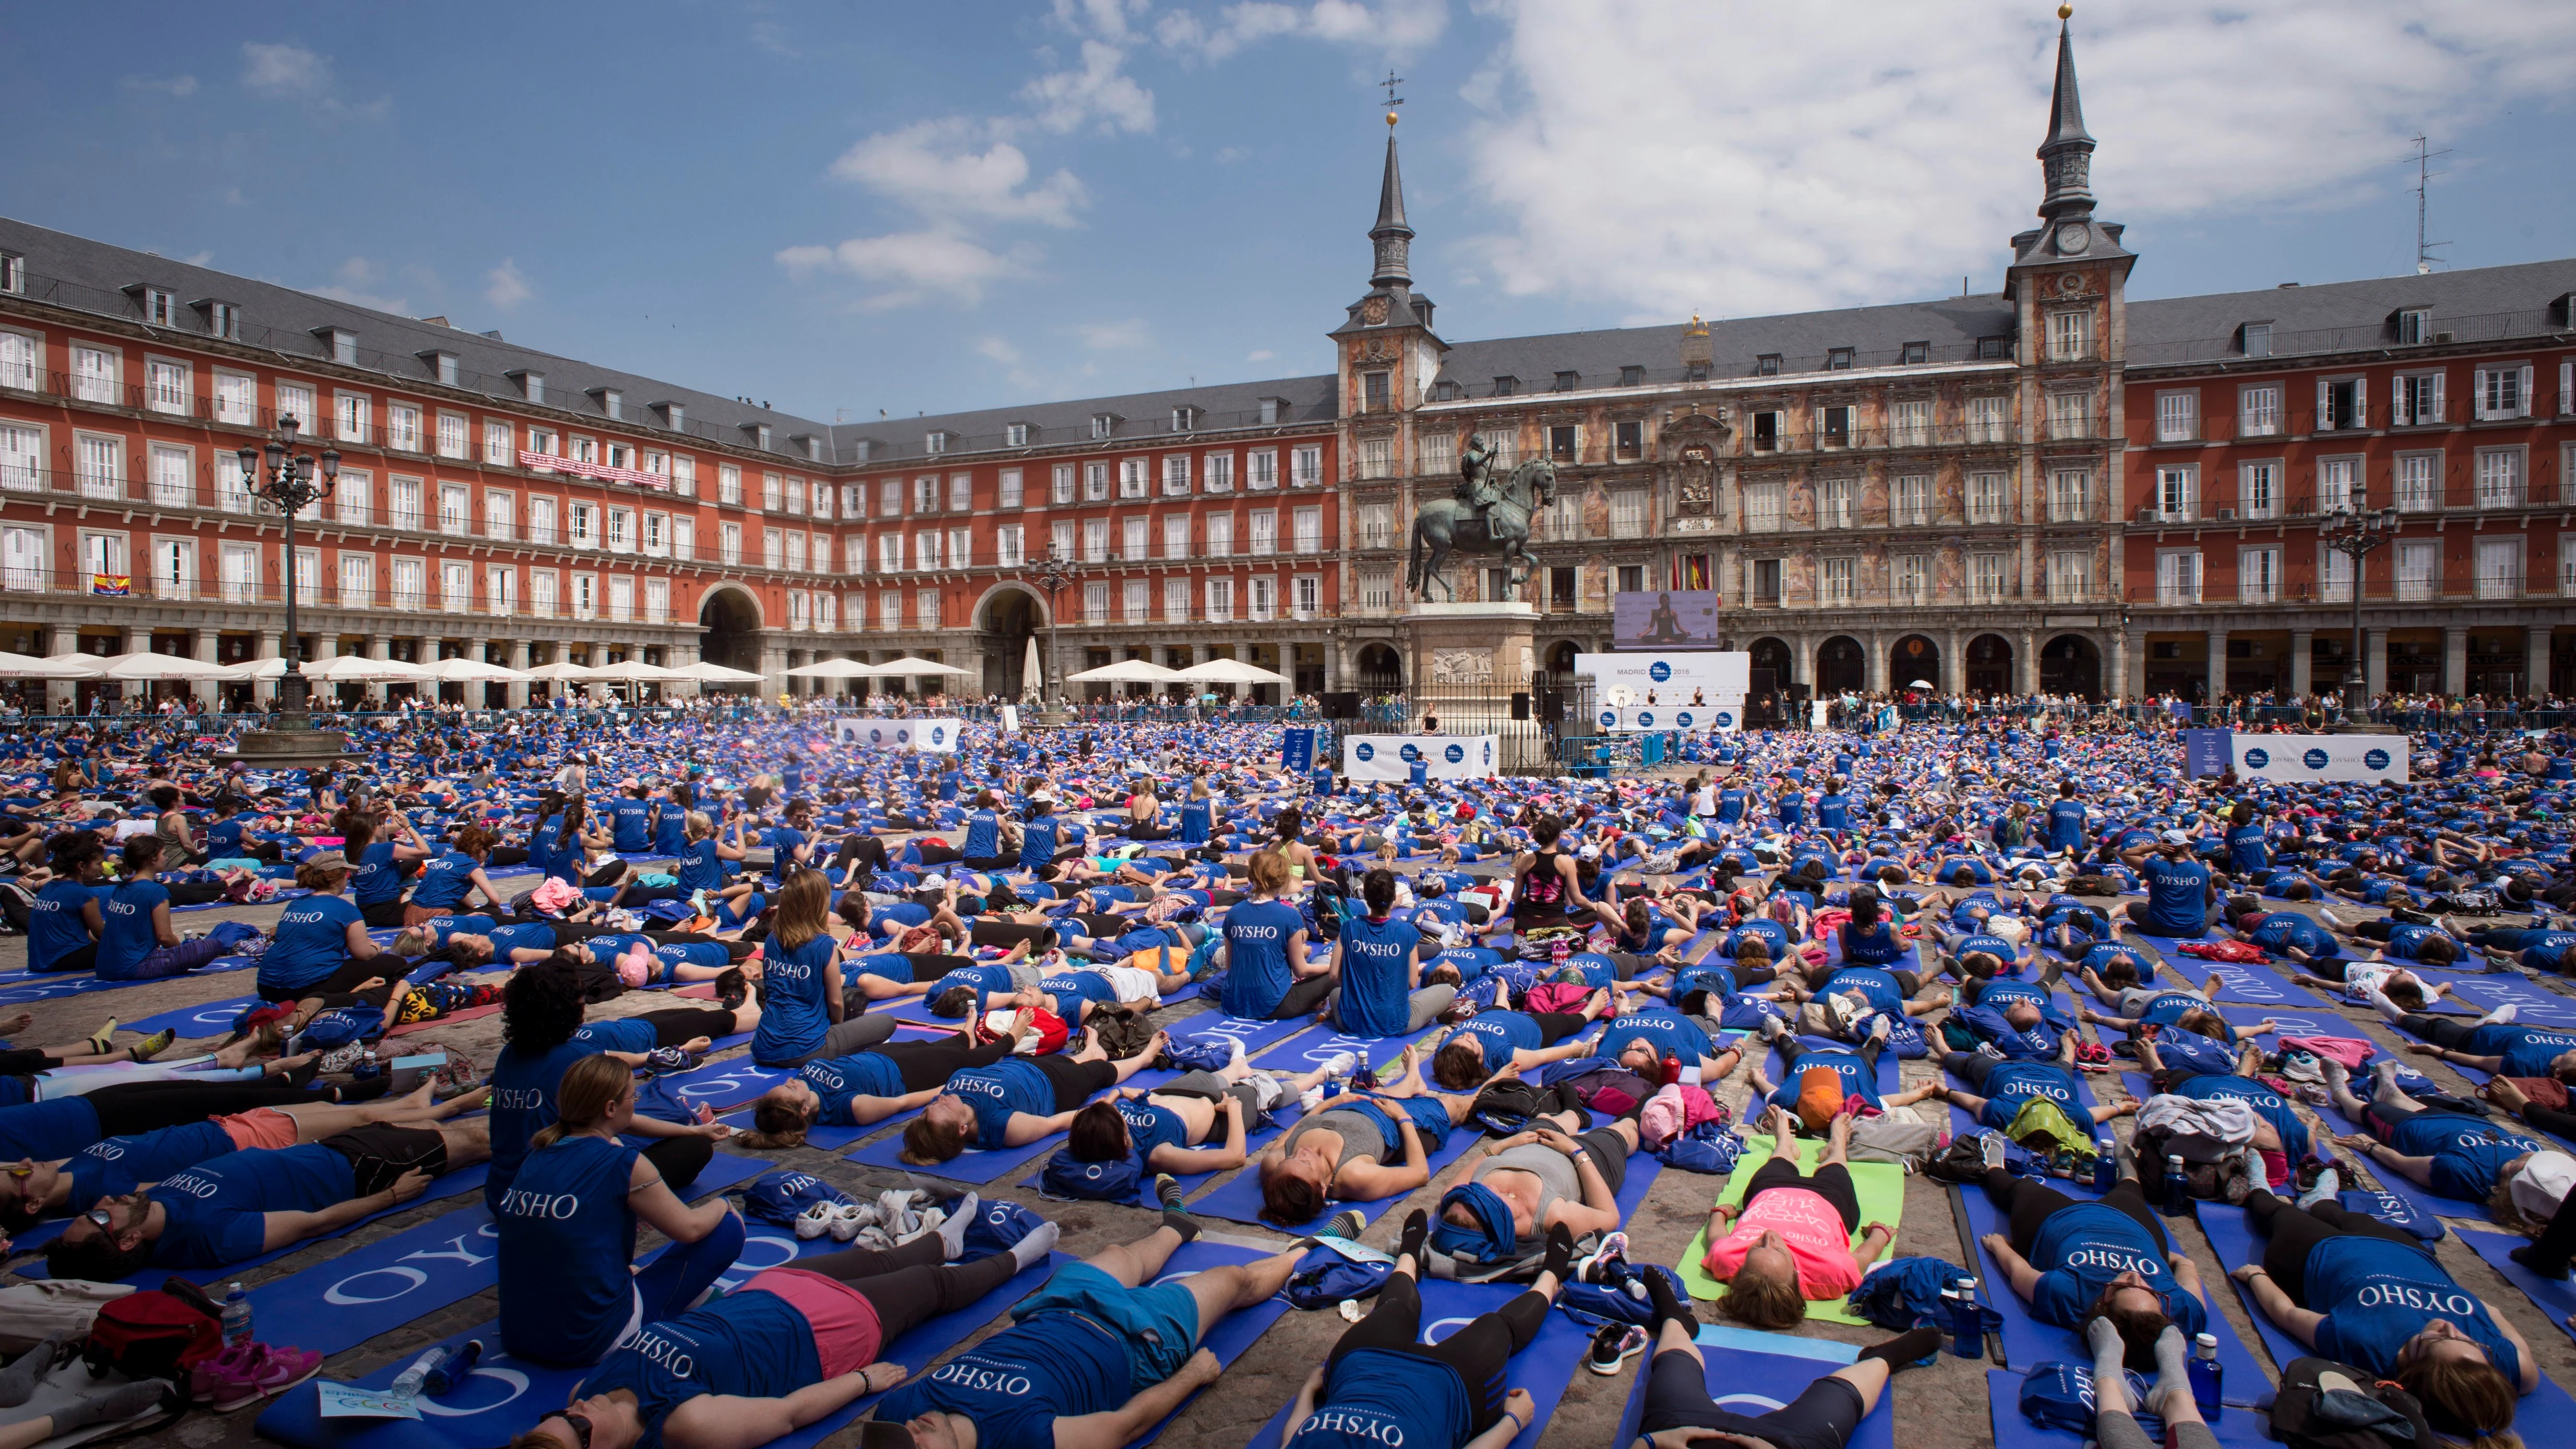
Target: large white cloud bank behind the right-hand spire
point(1807, 164)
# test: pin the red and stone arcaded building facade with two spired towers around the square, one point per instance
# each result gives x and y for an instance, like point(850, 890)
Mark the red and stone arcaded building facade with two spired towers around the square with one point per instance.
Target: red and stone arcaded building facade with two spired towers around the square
point(2044, 489)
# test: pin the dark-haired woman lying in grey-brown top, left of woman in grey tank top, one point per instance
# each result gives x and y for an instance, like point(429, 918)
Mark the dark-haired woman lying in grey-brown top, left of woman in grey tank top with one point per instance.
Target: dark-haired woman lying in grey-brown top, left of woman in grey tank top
point(1361, 1146)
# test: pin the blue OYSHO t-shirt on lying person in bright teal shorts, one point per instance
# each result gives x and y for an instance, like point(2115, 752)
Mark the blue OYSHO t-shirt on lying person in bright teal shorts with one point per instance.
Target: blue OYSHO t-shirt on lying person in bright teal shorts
point(1016, 1383)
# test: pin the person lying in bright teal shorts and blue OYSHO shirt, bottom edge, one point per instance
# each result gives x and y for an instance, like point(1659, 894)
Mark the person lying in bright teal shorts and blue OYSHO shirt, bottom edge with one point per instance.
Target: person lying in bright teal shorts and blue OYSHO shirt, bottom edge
point(1096, 1357)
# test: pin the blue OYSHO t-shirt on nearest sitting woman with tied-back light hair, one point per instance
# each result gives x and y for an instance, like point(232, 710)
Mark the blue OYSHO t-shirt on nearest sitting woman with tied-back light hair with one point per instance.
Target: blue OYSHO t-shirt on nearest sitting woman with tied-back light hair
point(565, 1247)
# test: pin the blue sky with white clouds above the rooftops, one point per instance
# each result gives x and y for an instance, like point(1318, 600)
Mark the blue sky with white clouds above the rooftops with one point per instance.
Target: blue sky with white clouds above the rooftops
point(857, 210)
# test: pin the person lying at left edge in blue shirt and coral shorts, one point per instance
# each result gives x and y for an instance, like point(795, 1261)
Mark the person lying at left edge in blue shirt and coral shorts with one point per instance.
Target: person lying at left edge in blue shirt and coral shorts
point(115, 1167)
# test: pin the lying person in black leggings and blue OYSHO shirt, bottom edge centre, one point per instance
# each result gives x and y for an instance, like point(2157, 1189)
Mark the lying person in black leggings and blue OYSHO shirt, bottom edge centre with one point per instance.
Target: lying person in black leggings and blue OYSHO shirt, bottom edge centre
point(1385, 1386)
